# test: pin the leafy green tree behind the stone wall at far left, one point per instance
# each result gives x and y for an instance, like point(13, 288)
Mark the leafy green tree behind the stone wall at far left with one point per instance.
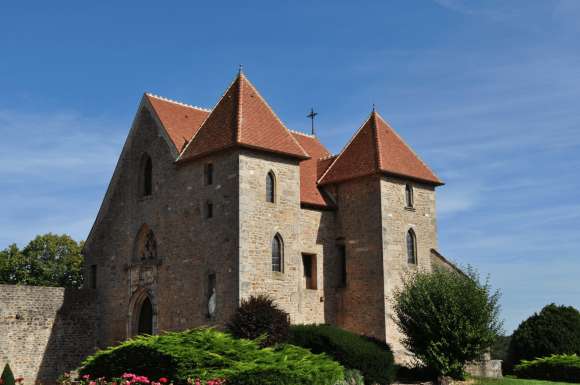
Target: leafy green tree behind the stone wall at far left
point(48, 260)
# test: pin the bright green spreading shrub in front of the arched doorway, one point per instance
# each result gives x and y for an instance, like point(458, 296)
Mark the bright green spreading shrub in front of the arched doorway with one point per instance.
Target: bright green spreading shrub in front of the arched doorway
point(209, 354)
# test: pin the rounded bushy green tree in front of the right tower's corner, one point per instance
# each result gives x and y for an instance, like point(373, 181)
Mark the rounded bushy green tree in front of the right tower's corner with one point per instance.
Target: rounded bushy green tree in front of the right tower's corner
point(448, 319)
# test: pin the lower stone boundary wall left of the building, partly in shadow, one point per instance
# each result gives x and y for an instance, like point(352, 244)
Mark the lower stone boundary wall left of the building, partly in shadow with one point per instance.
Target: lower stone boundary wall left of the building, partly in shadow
point(45, 331)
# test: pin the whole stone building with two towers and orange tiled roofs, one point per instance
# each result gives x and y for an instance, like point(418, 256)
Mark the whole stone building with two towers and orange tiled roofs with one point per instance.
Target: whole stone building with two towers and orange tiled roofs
point(207, 207)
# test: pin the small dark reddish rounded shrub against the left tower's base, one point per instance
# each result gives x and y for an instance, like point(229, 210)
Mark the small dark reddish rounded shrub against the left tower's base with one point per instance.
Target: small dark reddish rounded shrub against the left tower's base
point(259, 317)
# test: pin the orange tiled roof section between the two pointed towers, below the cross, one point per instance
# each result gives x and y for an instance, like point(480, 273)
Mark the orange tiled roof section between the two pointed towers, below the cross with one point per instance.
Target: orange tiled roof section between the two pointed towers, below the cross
point(309, 192)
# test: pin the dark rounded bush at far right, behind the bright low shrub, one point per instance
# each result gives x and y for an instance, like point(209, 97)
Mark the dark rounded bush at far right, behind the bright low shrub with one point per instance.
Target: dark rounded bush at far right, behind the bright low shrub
point(554, 330)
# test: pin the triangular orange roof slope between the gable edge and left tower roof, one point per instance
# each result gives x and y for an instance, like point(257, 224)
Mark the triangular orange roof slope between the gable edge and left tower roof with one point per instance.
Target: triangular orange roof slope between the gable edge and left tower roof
point(181, 121)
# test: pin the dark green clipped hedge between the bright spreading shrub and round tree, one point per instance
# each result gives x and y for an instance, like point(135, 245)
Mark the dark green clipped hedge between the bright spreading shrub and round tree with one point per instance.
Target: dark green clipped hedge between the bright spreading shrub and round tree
point(371, 357)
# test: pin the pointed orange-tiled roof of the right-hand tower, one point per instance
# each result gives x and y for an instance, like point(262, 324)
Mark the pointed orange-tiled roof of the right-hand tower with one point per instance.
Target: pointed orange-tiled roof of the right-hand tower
point(376, 148)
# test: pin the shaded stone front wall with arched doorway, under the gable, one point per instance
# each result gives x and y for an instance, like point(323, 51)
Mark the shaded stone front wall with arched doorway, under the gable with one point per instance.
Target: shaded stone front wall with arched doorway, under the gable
point(189, 245)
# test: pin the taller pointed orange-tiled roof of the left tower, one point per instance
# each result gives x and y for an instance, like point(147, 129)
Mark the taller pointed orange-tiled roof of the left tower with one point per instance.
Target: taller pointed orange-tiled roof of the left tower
point(242, 118)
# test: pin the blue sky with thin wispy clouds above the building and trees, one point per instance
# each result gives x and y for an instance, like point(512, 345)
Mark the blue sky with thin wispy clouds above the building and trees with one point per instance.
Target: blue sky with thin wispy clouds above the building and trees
point(487, 92)
